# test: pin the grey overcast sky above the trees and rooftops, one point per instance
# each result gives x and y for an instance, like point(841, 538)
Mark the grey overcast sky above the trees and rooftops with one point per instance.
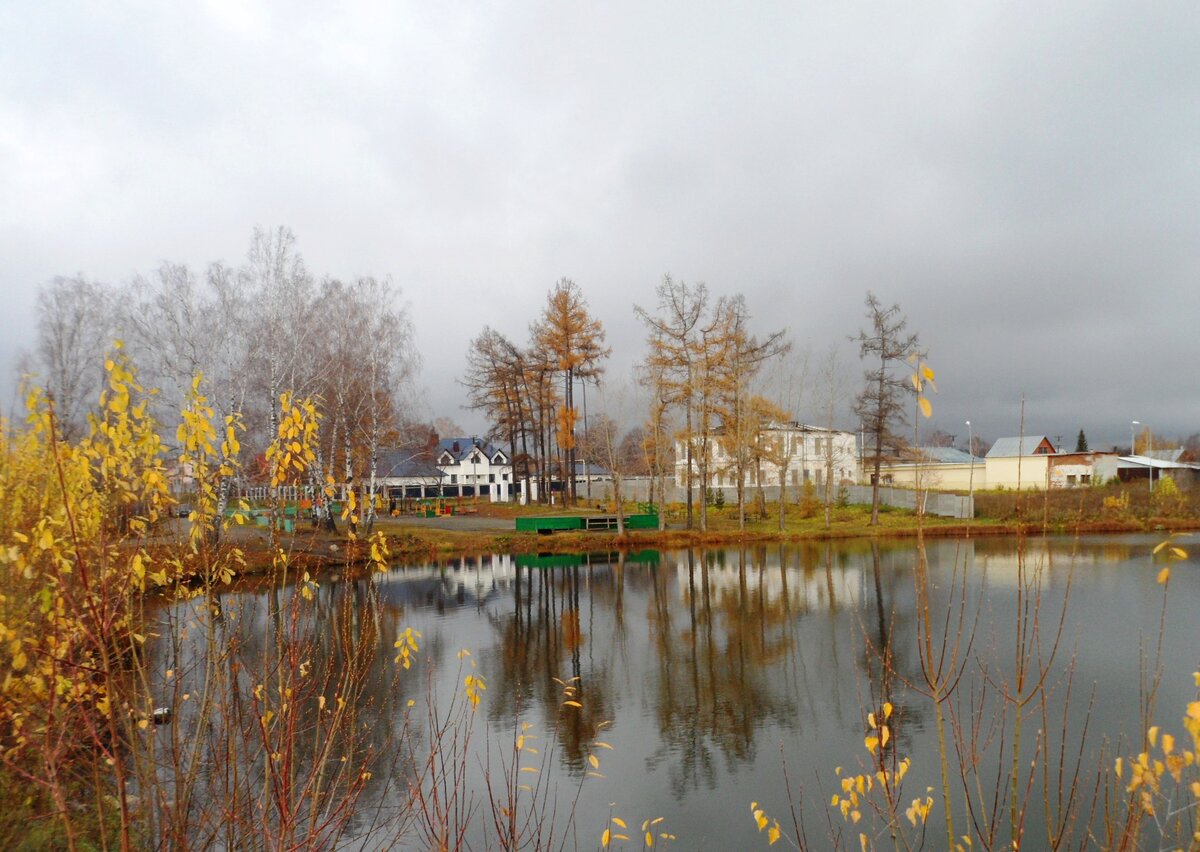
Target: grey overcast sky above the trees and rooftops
point(1022, 178)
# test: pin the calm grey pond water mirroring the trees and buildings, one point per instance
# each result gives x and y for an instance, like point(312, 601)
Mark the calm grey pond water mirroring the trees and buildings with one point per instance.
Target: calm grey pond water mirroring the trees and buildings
point(717, 669)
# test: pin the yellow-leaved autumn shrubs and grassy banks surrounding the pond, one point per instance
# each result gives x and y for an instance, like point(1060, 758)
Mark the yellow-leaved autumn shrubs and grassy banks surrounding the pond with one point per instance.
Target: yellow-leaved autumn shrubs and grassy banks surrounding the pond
point(134, 715)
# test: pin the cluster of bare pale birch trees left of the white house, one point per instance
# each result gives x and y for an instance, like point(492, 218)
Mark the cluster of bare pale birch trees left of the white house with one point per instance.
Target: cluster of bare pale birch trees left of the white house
point(250, 333)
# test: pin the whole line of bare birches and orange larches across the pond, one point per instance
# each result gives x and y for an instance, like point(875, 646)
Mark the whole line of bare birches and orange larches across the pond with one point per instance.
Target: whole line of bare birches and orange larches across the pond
point(706, 381)
